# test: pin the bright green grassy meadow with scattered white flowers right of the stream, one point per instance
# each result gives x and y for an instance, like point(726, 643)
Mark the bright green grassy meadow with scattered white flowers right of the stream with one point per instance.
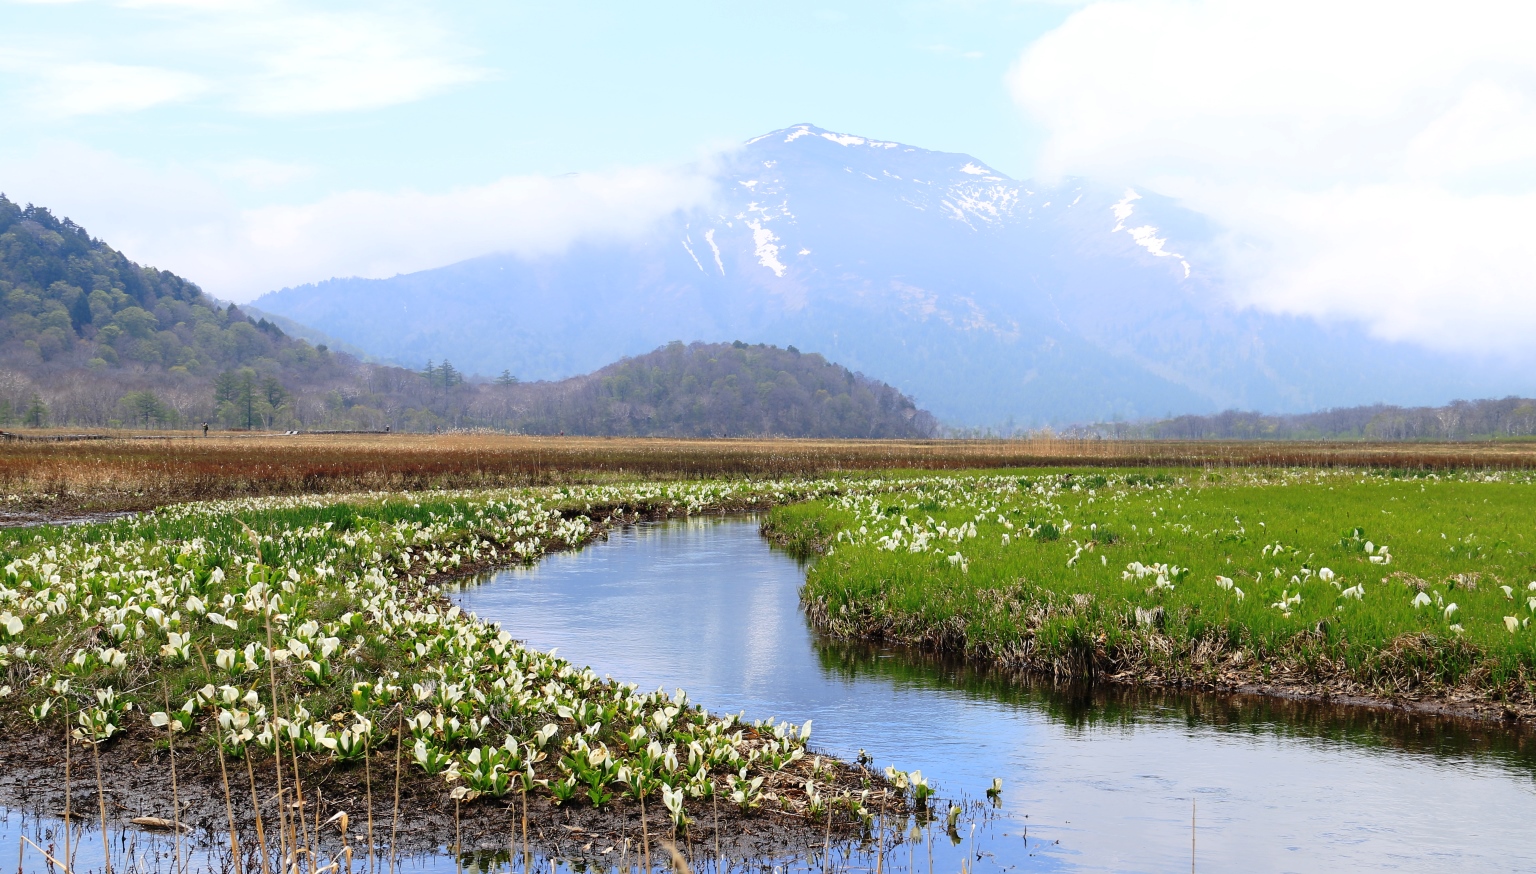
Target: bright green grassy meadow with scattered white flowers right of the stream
point(1064, 594)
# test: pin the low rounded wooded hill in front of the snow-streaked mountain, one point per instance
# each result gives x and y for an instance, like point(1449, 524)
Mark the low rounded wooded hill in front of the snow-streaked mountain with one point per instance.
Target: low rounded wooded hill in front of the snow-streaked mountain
point(726, 389)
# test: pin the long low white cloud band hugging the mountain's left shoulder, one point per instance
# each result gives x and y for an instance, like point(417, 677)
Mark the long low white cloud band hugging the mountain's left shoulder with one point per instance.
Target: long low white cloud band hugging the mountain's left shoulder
point(180, 220)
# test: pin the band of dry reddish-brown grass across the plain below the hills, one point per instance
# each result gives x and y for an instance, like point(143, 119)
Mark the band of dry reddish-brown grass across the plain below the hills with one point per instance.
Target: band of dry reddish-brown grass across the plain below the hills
point(144, 471)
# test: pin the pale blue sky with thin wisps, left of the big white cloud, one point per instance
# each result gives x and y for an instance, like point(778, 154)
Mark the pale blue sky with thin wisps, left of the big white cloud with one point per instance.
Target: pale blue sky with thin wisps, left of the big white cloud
point(506, 88)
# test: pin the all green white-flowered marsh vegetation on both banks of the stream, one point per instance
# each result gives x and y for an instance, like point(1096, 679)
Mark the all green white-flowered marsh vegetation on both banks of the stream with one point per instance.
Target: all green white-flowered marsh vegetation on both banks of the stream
point(277, 643)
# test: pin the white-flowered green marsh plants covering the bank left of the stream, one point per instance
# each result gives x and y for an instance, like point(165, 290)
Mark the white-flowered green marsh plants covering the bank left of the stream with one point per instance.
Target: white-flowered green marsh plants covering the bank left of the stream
point(296, 638)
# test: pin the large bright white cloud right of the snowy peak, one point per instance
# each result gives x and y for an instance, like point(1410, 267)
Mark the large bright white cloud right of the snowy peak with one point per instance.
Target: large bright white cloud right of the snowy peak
point(1372, 161)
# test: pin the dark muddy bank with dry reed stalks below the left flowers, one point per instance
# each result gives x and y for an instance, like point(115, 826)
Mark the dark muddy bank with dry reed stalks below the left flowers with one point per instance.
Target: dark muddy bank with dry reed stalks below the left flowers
point(136, 783)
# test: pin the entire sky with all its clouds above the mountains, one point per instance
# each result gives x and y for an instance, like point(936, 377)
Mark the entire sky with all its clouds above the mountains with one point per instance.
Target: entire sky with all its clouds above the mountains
point(1366, 161)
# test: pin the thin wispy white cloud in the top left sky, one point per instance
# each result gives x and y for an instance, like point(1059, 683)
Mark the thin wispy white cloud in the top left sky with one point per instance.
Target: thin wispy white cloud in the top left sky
point(270, 58)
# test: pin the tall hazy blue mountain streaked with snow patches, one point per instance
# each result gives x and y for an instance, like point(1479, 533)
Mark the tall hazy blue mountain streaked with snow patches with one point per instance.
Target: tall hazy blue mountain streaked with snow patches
point(987, 299)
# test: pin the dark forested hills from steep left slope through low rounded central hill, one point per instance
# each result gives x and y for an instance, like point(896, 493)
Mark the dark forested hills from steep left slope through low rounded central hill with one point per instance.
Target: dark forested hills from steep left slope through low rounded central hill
point(90, 339)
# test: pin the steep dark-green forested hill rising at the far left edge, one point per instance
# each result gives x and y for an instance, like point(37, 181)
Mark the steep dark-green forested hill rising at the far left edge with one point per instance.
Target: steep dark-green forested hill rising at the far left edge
point(88, 337)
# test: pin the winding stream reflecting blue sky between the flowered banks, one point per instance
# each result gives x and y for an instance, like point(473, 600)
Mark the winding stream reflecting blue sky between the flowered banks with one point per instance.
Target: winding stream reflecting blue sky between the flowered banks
point(1102, 781)
